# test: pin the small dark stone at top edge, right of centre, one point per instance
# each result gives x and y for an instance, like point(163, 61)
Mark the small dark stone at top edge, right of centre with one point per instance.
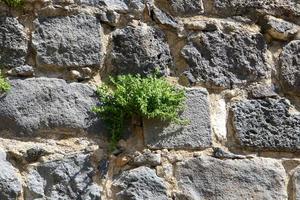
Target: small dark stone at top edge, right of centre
point(186, 7)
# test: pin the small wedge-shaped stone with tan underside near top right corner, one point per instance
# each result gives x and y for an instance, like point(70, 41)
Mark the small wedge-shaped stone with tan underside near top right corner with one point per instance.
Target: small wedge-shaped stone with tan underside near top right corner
point(280, 29)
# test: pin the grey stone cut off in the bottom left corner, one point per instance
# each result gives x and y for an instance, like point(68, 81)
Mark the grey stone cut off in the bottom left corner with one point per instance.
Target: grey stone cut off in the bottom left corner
point(10, 183)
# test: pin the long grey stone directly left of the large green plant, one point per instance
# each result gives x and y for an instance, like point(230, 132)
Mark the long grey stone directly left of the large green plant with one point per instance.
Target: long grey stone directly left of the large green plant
point(48, 105)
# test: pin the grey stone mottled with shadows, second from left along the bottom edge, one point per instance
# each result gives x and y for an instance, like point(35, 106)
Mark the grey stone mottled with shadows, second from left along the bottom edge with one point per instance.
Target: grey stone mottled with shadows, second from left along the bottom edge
point(68, 178)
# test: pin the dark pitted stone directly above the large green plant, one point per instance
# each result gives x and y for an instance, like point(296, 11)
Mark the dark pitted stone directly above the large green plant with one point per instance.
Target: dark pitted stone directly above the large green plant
point(140, 50)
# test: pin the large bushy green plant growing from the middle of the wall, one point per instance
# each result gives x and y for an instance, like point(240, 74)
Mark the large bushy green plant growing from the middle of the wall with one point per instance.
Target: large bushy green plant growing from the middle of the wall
point(127, 96)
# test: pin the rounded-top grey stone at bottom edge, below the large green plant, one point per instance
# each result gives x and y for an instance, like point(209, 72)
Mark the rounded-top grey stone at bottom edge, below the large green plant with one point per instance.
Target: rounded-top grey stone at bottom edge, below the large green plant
point(139, 183)
